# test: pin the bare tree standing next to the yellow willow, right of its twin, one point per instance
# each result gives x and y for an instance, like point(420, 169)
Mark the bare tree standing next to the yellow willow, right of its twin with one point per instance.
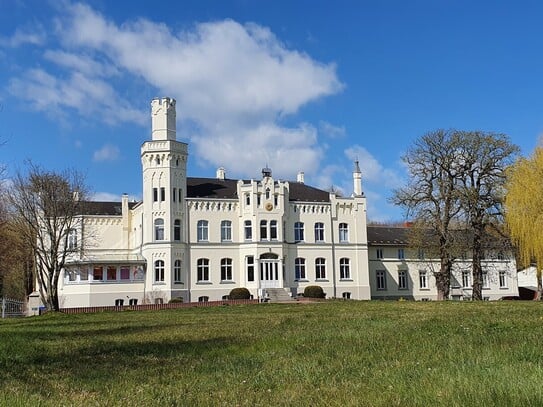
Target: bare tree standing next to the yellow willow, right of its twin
point(483, 159)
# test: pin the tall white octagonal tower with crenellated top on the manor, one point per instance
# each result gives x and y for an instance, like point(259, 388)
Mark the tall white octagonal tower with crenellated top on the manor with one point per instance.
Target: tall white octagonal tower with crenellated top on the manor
point(164, 161)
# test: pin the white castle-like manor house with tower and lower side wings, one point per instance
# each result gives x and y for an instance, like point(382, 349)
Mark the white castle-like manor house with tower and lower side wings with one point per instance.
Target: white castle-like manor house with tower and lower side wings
point(198, 238)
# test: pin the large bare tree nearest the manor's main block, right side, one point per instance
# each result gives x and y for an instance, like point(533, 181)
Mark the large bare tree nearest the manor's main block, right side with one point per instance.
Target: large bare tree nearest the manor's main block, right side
point(431, 196)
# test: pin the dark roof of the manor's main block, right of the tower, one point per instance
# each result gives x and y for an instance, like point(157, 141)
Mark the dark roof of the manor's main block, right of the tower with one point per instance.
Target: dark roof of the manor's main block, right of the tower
point(227, 188)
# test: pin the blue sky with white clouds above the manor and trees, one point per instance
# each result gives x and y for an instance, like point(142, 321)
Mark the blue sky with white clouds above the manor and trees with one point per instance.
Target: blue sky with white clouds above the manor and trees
point(297, 85)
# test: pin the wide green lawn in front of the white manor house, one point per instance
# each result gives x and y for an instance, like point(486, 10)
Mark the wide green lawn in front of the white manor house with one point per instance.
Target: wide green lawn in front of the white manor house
point(332, 353)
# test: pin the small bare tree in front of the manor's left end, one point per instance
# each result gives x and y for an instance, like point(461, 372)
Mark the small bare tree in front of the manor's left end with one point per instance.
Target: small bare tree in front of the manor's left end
point(47, 205)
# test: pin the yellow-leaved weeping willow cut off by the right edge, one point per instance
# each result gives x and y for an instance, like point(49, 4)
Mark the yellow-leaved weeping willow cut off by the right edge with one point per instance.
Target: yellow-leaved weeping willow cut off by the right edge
point(524, 211)
